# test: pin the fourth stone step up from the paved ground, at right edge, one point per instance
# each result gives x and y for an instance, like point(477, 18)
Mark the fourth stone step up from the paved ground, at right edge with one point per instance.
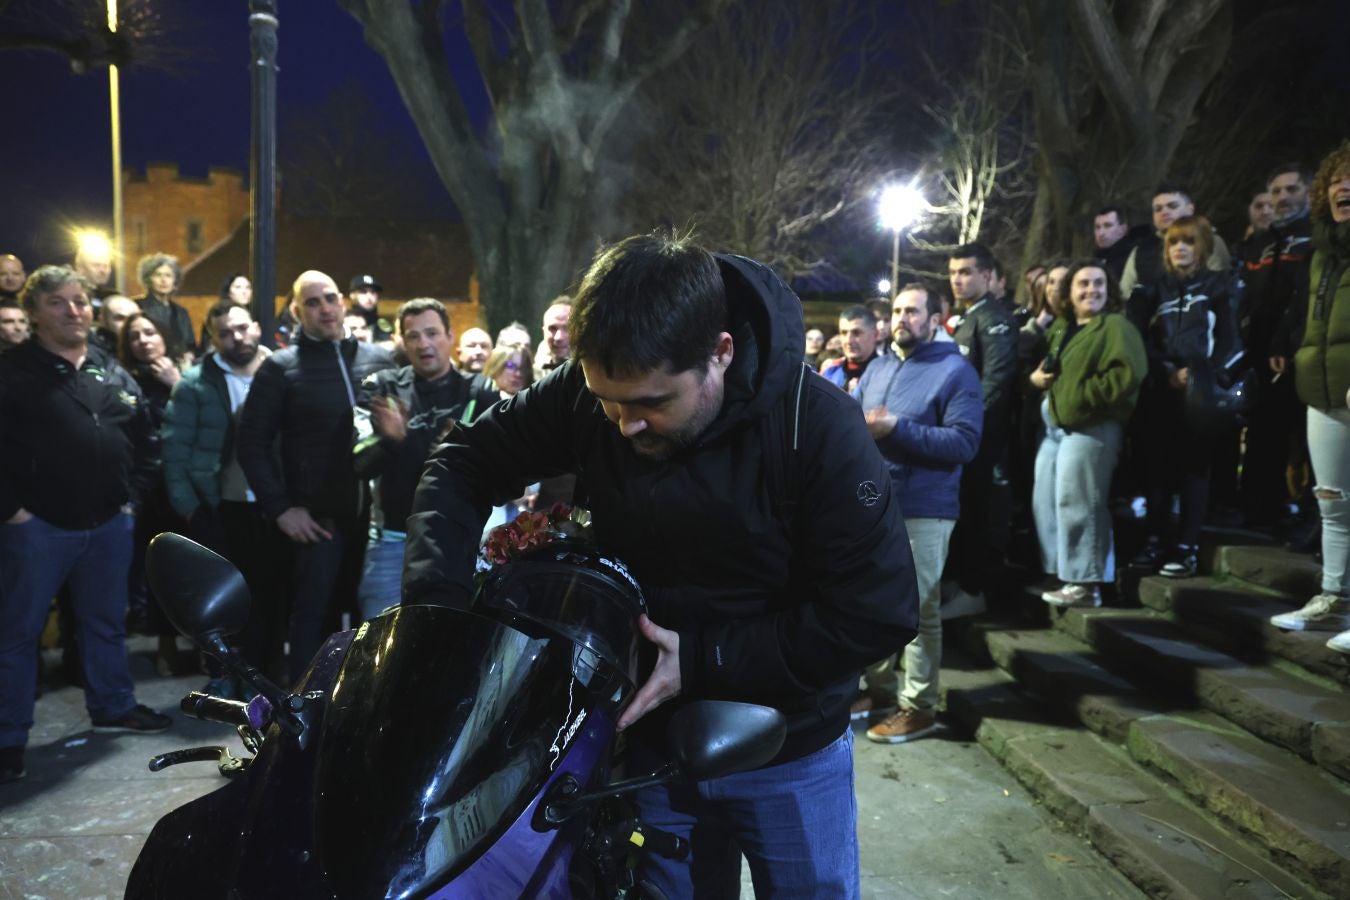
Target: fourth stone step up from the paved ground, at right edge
point(1237, 620)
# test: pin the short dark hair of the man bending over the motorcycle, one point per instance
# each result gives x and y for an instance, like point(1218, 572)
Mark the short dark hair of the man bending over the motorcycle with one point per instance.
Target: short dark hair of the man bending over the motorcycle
point(650, 303)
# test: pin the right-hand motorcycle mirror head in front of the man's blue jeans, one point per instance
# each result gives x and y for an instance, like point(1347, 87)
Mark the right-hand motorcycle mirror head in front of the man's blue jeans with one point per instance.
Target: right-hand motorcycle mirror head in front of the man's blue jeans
point(712, 739)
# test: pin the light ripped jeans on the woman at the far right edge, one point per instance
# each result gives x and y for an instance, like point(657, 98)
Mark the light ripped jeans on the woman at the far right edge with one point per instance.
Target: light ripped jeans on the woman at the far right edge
point(1329, 446)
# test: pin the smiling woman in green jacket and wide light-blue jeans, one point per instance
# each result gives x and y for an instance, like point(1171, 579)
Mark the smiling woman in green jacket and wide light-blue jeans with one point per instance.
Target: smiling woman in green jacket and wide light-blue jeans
point(1091, 378)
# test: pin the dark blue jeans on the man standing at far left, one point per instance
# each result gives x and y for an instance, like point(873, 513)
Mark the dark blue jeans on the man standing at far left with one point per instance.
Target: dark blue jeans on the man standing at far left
point(36, 561)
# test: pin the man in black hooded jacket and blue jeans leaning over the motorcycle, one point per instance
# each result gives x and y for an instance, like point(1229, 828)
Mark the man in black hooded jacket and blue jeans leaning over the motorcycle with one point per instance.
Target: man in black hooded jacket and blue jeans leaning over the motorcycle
point(685, 395)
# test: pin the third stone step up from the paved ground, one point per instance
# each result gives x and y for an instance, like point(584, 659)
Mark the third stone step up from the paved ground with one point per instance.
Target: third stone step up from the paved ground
point(1295, 713)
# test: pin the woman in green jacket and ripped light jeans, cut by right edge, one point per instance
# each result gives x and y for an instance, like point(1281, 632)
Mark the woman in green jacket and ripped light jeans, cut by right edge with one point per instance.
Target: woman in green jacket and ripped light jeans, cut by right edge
point(1322, 376)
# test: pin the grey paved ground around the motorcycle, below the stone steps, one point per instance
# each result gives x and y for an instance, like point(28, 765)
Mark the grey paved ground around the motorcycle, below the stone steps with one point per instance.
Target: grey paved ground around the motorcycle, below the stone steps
point(938, 818)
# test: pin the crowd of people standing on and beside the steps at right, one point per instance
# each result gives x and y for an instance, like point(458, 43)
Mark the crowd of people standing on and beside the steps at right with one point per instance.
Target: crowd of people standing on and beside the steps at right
point(1164, 378)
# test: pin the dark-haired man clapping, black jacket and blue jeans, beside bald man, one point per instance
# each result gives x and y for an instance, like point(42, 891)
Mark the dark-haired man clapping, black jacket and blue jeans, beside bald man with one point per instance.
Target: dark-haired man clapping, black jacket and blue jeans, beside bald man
point(410, 410)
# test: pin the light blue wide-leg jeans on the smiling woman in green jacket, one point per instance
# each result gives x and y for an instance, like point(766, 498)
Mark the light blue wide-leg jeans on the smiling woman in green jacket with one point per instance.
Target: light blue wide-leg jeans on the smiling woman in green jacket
point(1070, 500)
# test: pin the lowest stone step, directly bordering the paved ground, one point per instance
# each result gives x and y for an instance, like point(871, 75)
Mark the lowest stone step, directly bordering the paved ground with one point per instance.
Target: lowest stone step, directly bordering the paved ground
point(1158, 840)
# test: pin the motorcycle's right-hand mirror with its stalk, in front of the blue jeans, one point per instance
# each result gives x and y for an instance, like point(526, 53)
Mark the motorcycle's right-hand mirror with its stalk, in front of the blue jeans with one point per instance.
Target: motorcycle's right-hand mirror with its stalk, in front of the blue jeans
point(709, 740)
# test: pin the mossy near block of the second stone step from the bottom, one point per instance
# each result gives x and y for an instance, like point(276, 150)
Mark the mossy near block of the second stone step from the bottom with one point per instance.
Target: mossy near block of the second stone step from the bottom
point(1297, 812)
